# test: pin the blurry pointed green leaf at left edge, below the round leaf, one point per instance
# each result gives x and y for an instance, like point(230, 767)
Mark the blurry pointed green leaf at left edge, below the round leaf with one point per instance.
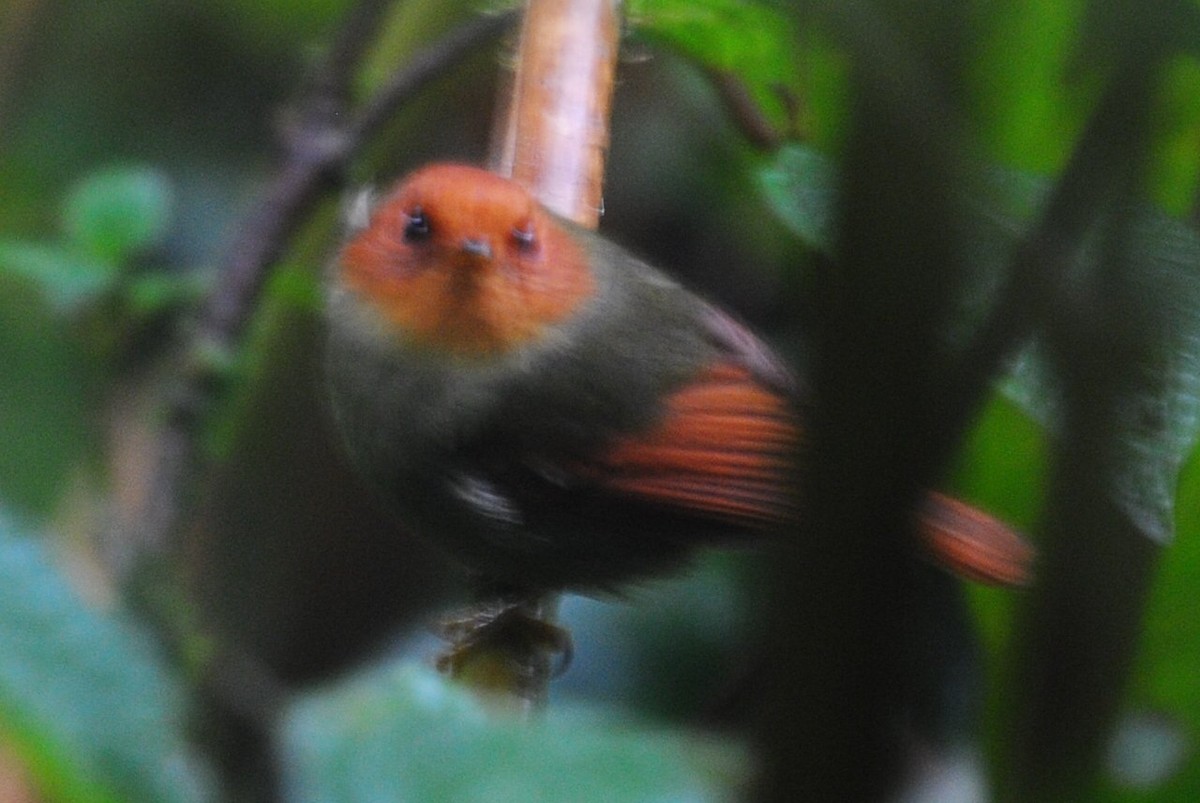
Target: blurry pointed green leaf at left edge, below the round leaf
point(65, 279)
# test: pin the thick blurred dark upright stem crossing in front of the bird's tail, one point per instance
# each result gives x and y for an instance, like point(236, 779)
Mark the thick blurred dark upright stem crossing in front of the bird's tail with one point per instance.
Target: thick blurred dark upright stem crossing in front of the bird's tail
point(843, 692)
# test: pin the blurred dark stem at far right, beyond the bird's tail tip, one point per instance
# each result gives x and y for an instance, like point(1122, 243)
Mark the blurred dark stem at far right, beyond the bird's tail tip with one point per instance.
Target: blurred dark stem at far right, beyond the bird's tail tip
point(1081, 632)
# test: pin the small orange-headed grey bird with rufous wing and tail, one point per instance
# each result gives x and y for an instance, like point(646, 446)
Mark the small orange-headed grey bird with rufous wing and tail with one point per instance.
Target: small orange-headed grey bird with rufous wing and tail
point(557, 414)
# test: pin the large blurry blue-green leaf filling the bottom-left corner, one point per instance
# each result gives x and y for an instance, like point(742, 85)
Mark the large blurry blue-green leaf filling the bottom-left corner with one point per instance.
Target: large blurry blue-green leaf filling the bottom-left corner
point(85, 700)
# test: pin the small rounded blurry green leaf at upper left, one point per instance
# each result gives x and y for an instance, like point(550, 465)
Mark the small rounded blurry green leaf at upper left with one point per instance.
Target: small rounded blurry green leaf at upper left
point(117, 213)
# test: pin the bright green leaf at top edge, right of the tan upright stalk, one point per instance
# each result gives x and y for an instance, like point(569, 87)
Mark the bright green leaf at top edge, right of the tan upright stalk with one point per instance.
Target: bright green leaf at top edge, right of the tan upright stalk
point(740, 39)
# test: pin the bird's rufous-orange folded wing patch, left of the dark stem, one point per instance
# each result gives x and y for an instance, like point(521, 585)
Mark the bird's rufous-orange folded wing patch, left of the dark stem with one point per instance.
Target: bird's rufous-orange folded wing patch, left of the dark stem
point(725, 448)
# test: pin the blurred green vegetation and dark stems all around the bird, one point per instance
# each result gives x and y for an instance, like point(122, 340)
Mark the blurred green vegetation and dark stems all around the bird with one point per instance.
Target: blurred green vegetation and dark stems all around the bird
point(973, 225)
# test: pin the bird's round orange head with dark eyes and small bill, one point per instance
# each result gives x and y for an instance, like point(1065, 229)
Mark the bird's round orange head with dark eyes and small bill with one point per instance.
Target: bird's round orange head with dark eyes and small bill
point(464, 261)
